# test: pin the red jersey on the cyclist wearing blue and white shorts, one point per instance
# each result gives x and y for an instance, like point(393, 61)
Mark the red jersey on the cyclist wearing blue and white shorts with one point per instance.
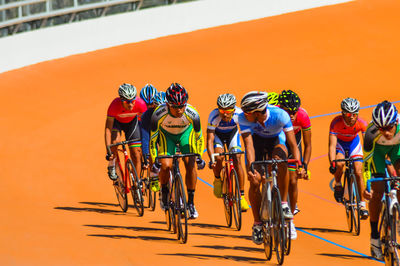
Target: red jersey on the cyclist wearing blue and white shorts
point(344, 132)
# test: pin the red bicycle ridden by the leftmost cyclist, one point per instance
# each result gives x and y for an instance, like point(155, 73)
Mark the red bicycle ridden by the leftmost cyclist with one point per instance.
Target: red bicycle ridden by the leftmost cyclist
point(127, 180)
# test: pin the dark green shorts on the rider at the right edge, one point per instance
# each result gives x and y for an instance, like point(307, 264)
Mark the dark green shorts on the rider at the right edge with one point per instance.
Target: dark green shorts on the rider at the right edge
point(379, 158)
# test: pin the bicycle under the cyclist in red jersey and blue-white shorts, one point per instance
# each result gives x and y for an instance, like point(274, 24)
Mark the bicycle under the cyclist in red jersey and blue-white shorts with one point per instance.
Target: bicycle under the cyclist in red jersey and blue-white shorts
point(351, 199)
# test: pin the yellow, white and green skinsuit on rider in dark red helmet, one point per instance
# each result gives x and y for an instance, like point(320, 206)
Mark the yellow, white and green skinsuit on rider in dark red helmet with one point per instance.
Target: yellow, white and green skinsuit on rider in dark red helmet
point(169, 131)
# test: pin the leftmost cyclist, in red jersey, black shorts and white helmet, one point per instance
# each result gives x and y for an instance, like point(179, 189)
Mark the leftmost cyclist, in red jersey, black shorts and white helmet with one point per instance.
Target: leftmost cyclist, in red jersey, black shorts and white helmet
point(123, 115)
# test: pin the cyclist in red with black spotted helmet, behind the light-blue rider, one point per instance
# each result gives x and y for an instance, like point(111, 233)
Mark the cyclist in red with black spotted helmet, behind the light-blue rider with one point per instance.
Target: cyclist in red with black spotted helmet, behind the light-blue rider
point(290, 102)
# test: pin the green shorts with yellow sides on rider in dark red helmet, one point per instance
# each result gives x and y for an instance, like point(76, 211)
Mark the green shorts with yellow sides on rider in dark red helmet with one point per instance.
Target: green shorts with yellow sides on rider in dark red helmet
point(167, 142)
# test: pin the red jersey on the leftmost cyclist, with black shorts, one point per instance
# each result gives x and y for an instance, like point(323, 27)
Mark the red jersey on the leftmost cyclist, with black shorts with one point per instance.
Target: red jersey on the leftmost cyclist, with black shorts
point(117, 111)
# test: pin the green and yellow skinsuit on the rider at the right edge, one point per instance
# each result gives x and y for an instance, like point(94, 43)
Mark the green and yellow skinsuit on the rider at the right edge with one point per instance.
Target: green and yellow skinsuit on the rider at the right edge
point(377, 147)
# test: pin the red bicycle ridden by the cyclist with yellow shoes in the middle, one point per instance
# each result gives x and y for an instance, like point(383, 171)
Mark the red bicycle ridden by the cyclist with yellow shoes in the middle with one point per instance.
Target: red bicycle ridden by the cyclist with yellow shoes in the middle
point(231, 190)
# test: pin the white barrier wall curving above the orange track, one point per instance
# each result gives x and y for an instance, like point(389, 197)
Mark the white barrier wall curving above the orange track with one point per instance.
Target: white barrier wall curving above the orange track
point(59, 41)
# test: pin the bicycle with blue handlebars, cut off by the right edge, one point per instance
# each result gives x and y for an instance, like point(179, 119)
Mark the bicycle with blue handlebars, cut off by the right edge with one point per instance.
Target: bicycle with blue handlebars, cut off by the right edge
point(389, 218)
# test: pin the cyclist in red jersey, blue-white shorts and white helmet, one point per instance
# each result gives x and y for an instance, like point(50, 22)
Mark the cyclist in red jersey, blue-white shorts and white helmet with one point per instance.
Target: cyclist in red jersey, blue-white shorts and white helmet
point(344, 137)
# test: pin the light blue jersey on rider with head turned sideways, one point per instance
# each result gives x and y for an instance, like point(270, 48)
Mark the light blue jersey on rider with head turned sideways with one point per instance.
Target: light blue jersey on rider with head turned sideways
point(276, 123)
